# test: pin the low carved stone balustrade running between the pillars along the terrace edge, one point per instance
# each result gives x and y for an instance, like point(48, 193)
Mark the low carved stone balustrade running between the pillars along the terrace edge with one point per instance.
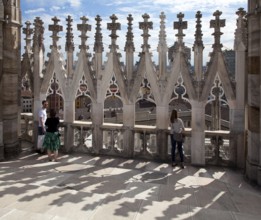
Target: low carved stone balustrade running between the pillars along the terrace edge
point(217, 143)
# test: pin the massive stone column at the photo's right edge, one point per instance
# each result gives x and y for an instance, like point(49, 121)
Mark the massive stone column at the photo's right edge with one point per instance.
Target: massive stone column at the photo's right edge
point(253, 169)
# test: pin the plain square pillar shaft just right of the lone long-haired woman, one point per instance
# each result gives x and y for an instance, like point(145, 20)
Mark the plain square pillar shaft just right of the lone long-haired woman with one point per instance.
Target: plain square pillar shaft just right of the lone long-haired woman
point(197, 133)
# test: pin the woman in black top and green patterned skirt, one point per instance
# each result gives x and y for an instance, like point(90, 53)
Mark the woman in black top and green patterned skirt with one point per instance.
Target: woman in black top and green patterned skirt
point(52, 137)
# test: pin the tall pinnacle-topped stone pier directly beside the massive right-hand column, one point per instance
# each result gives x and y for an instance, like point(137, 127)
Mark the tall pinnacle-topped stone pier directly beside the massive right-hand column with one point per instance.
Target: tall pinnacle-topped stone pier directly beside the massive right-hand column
point(237, 112)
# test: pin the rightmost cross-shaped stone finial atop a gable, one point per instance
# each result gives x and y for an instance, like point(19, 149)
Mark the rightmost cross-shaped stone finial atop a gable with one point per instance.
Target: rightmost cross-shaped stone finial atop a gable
point(217, 24)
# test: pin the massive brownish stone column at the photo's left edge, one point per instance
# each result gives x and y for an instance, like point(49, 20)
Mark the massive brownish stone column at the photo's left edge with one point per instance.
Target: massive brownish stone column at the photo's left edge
point(10, 77)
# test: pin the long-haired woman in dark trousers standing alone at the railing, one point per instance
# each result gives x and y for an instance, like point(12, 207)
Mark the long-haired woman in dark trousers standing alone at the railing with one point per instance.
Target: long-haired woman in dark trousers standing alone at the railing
point(176, 135)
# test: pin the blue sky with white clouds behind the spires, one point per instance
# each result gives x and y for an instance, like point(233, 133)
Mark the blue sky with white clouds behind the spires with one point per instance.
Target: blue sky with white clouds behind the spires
point(46, 9)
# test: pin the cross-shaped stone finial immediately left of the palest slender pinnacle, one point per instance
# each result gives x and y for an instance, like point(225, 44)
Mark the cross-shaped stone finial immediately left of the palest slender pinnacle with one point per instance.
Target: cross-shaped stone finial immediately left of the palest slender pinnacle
point(145, 26)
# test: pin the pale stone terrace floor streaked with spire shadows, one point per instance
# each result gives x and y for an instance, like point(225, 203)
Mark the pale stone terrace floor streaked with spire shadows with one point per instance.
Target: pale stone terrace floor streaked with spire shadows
point(91, 187)
